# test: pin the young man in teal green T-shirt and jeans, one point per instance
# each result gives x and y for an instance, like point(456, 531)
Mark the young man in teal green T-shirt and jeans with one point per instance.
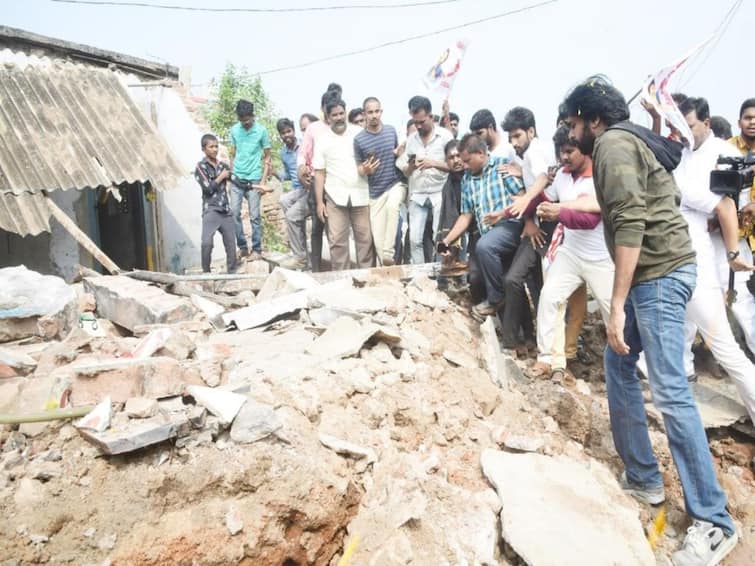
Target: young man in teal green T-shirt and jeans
point(250, 163)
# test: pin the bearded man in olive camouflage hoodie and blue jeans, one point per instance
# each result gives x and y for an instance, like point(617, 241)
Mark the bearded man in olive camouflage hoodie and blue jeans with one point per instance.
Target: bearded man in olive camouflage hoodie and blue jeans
point(655, 277)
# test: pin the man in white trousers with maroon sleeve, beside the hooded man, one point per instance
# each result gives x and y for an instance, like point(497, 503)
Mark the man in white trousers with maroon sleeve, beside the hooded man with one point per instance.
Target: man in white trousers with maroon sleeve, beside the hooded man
point(582, 257)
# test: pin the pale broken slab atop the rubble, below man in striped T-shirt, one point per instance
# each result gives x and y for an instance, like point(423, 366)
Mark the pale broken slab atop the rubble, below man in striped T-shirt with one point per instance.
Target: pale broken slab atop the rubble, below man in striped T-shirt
point(346, 336)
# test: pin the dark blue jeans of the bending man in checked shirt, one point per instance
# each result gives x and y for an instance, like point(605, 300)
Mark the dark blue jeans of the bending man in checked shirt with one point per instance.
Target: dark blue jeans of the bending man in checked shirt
point(493, 251)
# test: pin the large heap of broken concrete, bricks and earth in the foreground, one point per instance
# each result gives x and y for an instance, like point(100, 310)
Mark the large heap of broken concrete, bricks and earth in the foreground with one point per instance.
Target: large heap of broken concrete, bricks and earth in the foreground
point(303, 419)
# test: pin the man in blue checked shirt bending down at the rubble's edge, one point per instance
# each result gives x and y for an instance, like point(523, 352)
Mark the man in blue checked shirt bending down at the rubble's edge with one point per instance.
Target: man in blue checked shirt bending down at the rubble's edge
point(485, 194)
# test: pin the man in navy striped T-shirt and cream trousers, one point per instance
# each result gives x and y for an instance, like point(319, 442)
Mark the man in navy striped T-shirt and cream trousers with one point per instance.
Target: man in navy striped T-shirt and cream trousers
point(374, 152)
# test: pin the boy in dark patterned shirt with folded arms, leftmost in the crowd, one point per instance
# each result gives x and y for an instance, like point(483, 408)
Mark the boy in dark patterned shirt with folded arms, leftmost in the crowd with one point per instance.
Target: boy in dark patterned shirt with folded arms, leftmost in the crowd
point(212, 176)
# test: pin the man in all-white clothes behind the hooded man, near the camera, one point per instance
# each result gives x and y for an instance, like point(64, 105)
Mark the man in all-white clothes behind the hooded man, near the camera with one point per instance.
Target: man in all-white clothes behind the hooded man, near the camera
point(706, 311)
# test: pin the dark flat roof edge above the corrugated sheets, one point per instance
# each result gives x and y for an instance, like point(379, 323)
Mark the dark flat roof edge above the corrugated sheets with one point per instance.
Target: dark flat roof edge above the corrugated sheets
point(15, 38)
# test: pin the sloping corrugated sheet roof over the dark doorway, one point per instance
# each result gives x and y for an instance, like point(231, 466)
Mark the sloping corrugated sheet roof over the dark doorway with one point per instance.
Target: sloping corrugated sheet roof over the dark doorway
point(68, 126)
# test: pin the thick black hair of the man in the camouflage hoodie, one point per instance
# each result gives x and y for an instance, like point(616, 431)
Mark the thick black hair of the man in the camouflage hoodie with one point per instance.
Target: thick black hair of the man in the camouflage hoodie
point(595, 98)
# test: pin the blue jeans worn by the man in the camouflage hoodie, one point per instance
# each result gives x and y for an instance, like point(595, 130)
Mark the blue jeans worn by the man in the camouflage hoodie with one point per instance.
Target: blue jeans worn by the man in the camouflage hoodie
point(655, 312)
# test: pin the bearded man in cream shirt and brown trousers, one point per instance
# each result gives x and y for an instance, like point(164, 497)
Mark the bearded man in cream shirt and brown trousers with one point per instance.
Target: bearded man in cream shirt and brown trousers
point(344, 198)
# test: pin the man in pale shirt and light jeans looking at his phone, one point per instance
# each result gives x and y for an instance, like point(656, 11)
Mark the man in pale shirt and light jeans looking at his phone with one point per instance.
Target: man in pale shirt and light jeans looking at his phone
point(427, 171)
